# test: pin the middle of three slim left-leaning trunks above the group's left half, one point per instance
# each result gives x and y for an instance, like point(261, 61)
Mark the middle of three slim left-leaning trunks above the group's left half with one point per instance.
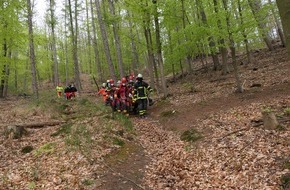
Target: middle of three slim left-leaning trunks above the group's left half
point(105, 41)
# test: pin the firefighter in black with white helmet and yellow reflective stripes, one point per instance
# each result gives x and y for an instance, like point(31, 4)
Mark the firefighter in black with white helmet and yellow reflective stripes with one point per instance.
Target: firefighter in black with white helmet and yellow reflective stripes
point(141, 90)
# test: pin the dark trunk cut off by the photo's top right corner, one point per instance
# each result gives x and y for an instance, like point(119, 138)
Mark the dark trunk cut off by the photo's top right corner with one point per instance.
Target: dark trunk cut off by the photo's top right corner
point(284, 10)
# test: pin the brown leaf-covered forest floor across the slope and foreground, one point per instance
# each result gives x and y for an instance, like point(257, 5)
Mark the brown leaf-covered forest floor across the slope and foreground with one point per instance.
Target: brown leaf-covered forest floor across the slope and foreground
point(228, 146)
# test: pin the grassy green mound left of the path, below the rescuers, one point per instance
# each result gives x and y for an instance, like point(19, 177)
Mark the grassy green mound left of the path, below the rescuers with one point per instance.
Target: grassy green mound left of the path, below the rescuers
point(89, 125)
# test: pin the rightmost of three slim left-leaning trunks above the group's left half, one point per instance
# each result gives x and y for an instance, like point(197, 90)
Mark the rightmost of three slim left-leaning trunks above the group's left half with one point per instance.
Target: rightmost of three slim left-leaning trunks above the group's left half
point(117, 40)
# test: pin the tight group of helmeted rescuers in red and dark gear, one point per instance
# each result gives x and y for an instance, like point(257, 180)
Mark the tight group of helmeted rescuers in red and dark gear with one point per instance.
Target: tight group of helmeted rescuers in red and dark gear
point(128, 95)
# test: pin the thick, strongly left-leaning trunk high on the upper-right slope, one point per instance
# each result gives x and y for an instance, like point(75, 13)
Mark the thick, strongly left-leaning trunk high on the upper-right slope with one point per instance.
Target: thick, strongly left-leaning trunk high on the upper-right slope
point(256, 8)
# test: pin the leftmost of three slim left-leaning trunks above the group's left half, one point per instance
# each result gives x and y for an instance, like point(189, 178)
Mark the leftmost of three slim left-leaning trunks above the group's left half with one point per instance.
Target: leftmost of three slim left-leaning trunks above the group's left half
point(96, 51)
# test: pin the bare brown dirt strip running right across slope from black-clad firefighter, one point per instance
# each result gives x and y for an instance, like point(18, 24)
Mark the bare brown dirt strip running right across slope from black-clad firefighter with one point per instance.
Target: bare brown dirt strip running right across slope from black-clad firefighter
point(187, 115)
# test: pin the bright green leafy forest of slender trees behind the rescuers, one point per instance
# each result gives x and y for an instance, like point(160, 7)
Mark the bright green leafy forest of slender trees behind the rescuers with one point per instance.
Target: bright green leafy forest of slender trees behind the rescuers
point(111, 39)
